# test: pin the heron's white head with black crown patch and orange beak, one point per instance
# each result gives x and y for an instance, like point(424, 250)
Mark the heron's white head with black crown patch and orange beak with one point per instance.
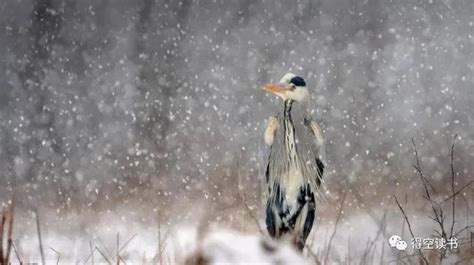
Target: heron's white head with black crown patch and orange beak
point(290, 87)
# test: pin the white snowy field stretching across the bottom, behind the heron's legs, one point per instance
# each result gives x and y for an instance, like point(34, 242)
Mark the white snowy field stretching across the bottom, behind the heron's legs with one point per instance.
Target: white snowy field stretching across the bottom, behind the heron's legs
point(359, 236)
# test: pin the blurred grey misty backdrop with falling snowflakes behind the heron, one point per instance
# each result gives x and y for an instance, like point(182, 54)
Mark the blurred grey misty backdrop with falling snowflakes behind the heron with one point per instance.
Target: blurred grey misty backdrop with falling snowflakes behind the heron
point(103, 102)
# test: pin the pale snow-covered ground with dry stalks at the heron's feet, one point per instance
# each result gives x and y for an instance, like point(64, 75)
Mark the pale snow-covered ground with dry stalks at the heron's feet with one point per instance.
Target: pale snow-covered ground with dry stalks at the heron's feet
point(356, 236)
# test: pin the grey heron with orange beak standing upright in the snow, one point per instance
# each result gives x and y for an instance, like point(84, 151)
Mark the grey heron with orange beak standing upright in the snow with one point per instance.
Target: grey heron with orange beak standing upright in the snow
point(294, 168)
